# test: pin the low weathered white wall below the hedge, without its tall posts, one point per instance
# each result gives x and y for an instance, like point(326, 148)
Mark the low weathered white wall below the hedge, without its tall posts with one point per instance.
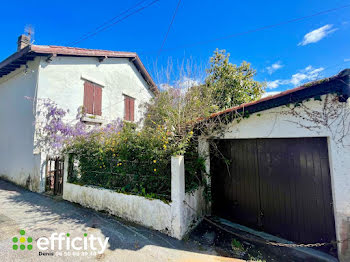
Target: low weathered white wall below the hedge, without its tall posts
point(152, 213)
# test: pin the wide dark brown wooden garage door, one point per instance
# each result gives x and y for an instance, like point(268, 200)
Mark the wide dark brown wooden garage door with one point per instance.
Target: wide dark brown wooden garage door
point(281, 186)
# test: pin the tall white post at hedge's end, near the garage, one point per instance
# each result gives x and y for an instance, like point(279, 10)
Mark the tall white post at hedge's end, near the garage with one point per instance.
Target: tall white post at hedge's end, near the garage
point(177, 196)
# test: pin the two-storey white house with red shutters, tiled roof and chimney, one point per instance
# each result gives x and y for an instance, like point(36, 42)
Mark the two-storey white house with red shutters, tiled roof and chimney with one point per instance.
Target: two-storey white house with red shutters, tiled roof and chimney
point(109, 84)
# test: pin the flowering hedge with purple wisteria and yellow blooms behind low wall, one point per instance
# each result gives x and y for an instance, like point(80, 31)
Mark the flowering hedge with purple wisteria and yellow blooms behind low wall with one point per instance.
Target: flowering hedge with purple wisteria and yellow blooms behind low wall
point(116, 156)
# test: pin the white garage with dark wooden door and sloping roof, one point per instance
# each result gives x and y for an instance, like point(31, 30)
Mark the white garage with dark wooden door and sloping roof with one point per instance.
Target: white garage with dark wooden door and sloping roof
point(287, 167)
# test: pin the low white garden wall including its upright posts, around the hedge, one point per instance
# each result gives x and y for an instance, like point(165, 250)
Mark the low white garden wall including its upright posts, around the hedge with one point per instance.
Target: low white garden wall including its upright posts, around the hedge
point(174, 218)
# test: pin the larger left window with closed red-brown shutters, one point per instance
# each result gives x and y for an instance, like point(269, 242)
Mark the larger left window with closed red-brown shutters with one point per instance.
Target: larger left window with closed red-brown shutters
point(92, 98)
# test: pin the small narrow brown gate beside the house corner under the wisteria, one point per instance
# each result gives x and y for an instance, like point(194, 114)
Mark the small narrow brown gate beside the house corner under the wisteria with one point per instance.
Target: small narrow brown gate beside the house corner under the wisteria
point(54, 175)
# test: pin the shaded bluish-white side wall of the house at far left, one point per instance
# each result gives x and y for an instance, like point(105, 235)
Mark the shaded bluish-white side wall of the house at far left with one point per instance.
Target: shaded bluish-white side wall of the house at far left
point(17, 161)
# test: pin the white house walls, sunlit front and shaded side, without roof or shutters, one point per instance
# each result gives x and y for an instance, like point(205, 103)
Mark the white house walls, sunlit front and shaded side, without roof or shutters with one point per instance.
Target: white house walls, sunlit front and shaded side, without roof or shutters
point(62, 81)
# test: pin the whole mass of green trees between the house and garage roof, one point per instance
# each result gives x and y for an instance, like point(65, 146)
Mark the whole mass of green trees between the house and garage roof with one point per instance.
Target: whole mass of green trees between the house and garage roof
point(180, 110)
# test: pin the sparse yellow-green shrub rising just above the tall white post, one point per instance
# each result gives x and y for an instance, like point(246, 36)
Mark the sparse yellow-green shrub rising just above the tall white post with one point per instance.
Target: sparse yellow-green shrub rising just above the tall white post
point(178, 112)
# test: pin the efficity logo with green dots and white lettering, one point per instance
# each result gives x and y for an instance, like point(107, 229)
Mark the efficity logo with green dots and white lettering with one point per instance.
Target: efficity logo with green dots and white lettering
point(61, 242)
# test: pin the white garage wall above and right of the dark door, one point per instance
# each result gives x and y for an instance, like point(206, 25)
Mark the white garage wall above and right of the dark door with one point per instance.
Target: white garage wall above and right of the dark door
point(274, 123)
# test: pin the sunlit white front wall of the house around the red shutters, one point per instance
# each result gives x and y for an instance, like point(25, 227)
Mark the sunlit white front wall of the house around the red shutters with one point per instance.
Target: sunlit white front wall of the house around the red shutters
point(62, 81)
